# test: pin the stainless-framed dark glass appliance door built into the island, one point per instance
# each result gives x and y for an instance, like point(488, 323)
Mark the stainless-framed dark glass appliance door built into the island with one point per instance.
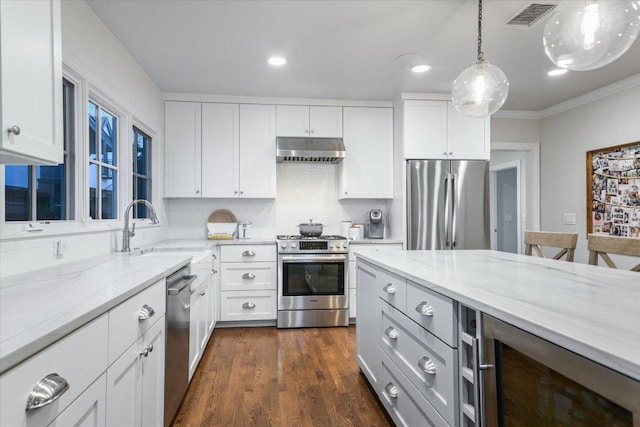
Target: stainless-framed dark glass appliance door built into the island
point(530, 381)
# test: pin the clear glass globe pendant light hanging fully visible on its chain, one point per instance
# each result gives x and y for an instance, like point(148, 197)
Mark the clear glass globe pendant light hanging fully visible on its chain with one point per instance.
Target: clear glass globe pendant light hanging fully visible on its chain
point(481, 89)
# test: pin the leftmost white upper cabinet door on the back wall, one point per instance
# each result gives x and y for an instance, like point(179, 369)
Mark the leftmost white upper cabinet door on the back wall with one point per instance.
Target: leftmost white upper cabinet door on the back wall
point(182, 149)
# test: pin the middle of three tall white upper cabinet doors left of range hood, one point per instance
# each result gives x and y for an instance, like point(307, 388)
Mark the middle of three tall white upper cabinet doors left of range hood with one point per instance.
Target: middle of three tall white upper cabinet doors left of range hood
point(220, 149)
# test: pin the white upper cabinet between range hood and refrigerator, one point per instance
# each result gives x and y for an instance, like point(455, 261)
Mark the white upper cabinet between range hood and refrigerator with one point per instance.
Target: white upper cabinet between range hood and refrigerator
point(367, 169)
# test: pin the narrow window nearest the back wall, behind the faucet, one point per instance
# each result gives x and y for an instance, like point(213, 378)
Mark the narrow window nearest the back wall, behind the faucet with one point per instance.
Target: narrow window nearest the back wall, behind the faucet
point(141, 168)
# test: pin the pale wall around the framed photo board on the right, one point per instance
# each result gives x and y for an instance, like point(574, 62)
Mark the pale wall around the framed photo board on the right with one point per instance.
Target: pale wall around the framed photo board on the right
point(565, 139)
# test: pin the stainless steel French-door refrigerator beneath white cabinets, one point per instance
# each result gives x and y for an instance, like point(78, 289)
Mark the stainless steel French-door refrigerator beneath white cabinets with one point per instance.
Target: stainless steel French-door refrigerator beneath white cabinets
point(448, 204)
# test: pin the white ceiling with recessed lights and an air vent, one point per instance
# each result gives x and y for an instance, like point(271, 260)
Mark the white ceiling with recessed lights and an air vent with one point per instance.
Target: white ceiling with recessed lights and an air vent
point(341, 49)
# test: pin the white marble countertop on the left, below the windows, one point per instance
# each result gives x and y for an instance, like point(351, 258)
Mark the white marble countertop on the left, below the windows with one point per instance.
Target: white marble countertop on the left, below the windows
point(38, 308)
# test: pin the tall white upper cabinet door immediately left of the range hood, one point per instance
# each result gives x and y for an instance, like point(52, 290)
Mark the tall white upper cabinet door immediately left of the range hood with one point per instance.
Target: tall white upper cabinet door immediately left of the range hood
point(257, 165)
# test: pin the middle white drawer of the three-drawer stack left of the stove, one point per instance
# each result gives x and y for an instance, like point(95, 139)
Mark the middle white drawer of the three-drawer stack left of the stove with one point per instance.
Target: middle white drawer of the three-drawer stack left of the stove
point(243, 276)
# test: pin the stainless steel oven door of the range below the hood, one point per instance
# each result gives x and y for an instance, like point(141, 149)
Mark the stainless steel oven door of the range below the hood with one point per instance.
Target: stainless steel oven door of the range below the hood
point(312, 282)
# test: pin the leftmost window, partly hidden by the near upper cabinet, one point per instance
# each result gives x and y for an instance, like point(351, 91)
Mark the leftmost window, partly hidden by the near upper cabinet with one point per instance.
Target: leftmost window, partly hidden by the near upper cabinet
point(44, 193)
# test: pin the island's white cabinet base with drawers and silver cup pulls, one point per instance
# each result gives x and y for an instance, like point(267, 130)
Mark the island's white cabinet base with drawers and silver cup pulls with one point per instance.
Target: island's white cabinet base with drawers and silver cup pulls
point(403, 348)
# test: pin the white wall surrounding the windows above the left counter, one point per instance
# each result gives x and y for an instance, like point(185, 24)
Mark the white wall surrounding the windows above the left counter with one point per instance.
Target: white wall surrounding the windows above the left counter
point(93, 52)
